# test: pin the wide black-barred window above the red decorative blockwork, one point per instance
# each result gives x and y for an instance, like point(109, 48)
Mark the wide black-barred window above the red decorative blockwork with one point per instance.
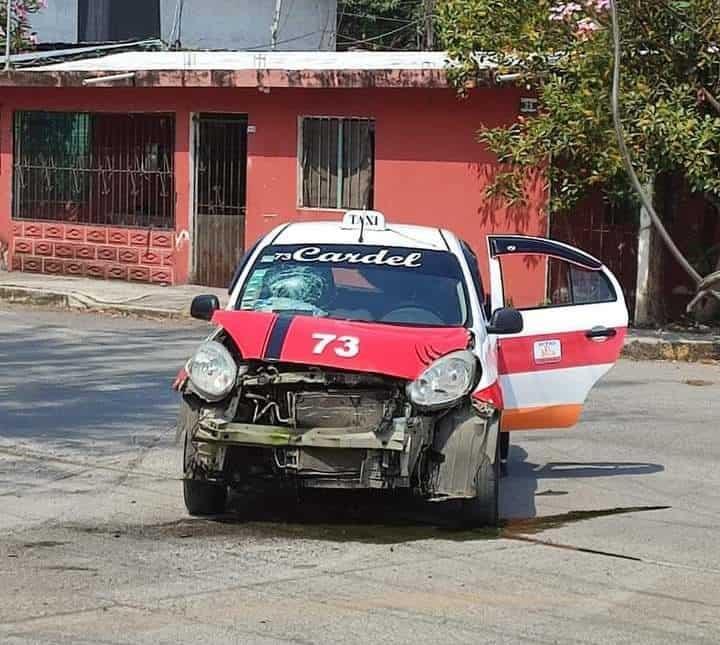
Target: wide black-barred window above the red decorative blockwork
point(108, 169)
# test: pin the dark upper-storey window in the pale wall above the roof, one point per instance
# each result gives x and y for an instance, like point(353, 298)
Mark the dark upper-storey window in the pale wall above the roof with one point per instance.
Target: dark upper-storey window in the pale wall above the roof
point(112, 20)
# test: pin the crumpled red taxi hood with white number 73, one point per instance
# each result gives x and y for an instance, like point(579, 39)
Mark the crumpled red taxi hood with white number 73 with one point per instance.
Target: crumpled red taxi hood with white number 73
point(403, 352)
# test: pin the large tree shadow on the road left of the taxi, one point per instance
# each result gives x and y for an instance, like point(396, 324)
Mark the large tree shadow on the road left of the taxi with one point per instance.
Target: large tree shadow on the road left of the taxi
point(100, 385)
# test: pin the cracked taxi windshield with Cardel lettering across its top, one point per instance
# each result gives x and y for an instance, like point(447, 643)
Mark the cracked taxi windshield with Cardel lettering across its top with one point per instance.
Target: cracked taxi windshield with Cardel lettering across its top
point(364, 283)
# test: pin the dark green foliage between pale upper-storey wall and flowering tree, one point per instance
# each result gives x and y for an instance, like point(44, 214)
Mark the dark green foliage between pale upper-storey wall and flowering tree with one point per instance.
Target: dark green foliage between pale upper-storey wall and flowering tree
point(386, 24)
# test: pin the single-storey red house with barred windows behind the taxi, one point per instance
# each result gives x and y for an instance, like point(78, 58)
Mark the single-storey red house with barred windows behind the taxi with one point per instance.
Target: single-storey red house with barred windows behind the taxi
point(165, 166)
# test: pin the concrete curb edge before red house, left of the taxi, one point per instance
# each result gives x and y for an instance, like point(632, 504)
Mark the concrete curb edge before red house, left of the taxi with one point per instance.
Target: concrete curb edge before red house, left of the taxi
point(69, 300)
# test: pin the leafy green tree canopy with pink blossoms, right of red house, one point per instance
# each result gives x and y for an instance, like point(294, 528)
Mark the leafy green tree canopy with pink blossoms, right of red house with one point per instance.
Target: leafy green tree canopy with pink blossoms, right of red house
point(563, 51)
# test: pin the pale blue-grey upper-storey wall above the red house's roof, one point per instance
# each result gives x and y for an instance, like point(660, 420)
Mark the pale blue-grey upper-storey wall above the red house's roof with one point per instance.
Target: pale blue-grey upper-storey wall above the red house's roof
point(305, 25)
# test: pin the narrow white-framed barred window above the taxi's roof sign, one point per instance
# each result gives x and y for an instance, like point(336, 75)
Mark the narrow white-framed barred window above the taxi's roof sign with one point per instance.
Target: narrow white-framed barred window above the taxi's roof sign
point(337, 162)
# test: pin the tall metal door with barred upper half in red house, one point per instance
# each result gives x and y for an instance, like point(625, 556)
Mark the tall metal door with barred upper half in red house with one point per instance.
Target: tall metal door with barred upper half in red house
point(220, 188)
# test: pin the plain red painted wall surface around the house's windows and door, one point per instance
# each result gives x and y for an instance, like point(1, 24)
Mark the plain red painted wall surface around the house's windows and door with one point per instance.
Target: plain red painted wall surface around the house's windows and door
point(429, 169)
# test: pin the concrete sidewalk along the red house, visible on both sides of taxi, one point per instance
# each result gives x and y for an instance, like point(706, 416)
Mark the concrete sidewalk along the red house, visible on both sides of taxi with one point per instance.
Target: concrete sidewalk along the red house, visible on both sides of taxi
point(174, 302)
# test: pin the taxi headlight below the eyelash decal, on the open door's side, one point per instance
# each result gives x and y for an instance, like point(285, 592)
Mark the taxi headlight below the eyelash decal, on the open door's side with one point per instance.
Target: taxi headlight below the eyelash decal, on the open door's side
point(448, 379)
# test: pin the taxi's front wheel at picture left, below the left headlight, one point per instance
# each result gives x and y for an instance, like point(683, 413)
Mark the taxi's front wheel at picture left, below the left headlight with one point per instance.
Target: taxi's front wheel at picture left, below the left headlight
point(201, 497)
